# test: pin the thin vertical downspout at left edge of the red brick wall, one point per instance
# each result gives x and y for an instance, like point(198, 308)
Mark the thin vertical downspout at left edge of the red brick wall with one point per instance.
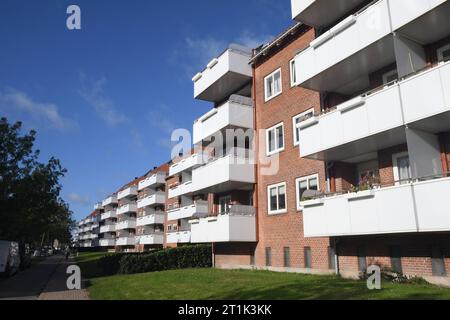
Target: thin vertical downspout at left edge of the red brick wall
point(255, 156)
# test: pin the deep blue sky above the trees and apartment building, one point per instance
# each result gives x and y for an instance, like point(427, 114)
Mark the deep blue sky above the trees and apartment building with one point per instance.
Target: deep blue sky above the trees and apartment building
point(106, 98)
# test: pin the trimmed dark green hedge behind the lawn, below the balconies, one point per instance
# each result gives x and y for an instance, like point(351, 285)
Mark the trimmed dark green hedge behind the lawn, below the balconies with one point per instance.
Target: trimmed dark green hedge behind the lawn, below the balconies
point(198, 256)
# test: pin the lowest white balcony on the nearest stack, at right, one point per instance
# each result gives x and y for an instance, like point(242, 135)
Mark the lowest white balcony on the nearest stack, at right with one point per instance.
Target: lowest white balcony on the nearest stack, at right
point(381, 211)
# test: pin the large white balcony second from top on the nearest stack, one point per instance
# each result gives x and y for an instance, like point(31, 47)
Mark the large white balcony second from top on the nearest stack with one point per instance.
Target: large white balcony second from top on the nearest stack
point(338, 60)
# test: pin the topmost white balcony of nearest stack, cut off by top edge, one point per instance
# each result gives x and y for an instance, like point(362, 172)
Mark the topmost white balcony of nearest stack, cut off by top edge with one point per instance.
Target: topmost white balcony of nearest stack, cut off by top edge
point(319, 13)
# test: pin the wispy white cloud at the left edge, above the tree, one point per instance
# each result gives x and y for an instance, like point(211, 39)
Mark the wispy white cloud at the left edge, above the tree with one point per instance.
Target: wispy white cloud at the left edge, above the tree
point(43, 114)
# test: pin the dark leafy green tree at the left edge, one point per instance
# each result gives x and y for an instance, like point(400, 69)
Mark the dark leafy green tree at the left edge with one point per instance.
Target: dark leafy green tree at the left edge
point(30, 203)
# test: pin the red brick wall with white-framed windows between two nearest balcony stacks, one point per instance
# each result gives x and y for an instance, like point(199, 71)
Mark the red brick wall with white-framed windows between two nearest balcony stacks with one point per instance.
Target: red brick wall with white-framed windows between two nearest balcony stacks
point(286, 230)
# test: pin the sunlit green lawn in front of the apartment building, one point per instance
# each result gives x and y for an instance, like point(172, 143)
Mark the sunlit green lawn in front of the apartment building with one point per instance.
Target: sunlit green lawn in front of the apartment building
point(200, 284)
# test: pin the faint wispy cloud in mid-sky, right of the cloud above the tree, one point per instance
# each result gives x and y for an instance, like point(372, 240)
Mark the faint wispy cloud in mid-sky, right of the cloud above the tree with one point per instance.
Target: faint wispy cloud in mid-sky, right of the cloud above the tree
point(92, 91)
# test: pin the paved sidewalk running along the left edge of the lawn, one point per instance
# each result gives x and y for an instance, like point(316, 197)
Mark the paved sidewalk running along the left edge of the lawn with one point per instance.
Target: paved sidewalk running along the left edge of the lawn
point(56, 288)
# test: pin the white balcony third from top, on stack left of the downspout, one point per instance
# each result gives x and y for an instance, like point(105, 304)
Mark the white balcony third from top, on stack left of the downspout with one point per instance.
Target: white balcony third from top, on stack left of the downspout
point(224, 174)
